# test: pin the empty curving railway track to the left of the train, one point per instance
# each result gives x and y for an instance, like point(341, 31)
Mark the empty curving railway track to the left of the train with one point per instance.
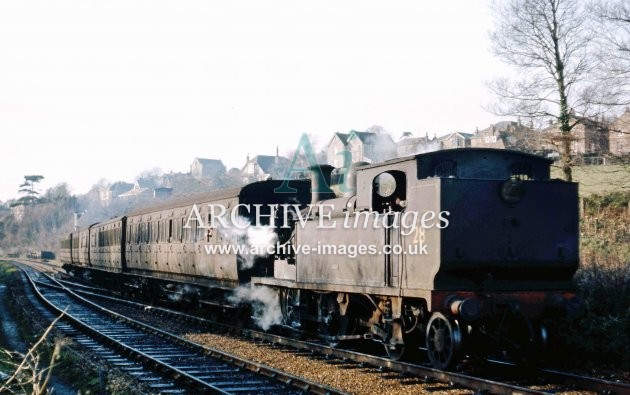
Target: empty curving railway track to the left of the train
point(164, 362)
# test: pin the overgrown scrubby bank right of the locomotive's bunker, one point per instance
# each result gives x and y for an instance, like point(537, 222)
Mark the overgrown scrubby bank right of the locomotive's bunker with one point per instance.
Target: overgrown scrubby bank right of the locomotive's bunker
point(603, 280)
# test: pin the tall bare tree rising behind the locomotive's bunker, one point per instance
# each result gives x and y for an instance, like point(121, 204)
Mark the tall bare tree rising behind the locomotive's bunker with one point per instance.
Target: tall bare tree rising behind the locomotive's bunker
point(550, 43)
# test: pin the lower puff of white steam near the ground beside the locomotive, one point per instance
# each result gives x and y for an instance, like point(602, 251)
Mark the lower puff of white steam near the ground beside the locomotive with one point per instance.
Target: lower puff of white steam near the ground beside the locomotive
point(265, 304)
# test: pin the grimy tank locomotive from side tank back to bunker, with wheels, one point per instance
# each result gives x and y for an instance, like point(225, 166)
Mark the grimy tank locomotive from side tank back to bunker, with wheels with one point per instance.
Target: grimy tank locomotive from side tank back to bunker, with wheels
point(461, 248)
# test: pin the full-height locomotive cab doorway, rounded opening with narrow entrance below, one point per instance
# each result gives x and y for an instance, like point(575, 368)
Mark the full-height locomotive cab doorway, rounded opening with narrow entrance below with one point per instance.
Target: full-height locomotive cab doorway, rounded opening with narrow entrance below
point(389, 198)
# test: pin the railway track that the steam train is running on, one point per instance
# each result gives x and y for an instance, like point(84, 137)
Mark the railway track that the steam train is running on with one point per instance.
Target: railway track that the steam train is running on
point(567, 381)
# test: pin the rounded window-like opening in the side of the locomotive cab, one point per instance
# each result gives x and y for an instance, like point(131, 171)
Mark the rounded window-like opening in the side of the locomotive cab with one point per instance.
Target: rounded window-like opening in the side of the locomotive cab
point(389, 191)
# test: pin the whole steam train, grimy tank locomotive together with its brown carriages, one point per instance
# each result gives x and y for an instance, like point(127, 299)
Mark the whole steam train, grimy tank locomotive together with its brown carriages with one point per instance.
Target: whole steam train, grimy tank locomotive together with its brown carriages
point(459, 252)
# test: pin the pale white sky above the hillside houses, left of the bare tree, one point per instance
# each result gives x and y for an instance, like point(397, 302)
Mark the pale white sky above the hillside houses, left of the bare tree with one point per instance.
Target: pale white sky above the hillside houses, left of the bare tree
point(93, 90)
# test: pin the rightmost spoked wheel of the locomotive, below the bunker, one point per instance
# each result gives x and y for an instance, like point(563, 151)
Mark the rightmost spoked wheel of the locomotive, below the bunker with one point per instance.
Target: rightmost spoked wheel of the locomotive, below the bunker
point(443, 341)
